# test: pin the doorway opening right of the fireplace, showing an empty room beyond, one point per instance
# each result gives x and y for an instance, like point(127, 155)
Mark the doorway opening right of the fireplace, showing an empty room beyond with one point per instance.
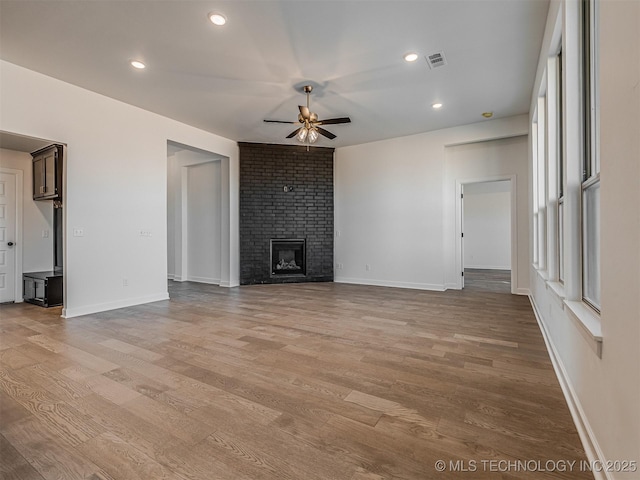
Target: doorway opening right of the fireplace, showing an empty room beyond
point(487, 235)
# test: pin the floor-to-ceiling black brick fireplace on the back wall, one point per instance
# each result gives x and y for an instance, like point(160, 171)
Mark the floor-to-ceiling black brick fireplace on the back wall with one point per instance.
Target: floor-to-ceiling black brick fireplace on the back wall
point(286, 200)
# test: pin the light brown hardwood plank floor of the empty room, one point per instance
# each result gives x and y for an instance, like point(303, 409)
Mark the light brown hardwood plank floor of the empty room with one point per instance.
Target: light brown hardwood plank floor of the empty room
point(300, 381)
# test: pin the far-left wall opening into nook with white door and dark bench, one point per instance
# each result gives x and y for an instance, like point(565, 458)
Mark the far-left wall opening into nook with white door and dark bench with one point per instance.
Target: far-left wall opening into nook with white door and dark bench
point(32, 233)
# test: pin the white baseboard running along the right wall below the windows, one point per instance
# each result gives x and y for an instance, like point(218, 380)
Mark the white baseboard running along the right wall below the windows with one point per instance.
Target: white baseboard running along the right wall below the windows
point(585, 432)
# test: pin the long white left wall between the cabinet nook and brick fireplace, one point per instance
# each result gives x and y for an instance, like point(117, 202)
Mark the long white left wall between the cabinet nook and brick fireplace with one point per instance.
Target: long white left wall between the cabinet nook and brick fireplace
point(116, 186)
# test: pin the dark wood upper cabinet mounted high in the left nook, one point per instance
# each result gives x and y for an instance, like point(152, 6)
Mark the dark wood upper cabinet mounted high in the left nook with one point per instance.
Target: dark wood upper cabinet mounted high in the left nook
point(47, 173)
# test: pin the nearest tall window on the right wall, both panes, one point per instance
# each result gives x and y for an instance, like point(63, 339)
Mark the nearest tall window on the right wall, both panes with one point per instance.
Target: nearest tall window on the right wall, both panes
point(590, 198)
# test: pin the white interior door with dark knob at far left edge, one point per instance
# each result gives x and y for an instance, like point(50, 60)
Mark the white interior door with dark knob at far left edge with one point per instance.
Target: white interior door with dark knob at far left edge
point(7, 237)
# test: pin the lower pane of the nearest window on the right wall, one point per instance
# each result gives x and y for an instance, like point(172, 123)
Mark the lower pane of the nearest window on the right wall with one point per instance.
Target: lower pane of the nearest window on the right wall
point(591, 253)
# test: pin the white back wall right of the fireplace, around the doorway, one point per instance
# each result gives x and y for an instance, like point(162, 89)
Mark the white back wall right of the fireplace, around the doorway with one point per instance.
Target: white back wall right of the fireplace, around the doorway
point(395, 205)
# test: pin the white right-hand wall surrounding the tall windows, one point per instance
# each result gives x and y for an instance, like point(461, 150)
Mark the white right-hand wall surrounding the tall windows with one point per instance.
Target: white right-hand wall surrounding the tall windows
point(603, 393)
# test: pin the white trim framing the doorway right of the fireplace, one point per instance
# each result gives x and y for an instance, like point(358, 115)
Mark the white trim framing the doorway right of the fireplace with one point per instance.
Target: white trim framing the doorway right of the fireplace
point(514, 225)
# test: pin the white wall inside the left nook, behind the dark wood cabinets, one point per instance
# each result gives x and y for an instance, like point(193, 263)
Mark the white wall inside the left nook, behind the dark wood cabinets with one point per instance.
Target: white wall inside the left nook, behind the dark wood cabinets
point(37, 250)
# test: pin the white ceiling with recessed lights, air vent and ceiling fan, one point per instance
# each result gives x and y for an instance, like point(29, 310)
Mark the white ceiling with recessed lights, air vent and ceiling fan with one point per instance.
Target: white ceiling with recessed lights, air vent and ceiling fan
point(226, 80)
